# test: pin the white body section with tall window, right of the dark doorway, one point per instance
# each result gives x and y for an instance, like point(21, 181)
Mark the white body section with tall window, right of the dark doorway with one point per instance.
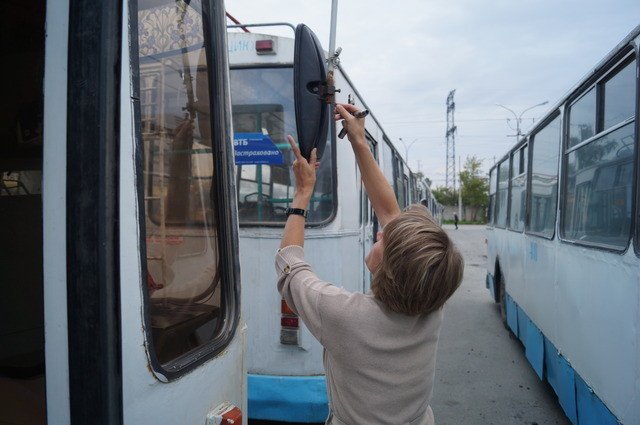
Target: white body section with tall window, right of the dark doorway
point(191, 369)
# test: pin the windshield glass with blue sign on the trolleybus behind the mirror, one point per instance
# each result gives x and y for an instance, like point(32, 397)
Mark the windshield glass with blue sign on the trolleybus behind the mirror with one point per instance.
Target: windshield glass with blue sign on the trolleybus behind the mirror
point(263, 111)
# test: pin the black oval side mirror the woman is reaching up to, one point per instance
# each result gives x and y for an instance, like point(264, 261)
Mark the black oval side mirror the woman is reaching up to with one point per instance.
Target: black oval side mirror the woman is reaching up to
point(309, 88)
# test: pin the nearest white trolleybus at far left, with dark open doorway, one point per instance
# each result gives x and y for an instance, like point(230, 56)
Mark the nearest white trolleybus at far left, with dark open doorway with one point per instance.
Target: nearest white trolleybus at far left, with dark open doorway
point(118, 219)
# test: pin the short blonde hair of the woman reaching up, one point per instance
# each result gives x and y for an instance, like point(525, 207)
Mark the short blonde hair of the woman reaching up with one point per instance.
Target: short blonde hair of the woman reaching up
point(420, 268)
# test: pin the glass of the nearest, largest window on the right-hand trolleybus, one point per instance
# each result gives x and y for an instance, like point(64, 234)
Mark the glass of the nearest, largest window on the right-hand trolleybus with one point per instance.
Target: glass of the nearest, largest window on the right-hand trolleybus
point(599, 185)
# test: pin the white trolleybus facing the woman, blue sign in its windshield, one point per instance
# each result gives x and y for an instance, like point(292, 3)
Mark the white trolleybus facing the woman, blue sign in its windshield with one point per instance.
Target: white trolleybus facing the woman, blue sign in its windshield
point(286, 375)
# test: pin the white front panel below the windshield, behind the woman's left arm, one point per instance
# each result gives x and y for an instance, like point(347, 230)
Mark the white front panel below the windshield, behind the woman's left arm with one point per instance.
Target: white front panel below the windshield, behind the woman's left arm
point(266, 354)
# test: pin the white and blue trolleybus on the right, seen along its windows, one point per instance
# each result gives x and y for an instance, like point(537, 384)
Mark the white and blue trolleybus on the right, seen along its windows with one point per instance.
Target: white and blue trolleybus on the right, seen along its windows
point(564, 241)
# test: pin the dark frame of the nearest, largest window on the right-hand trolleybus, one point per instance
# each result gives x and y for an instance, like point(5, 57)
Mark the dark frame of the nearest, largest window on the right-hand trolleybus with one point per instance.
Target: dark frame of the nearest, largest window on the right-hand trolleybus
point(606, 72)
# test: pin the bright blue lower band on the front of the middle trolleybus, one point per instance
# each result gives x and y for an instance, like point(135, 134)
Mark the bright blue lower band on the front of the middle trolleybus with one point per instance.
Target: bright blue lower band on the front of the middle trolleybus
point(287, 398)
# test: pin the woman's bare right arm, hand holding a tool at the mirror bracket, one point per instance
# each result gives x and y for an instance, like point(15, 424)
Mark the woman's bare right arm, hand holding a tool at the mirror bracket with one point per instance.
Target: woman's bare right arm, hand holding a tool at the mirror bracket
point(378, 188)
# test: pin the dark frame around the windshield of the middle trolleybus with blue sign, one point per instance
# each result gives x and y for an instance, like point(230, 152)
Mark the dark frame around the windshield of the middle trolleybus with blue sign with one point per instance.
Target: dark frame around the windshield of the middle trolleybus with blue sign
point(334, 168)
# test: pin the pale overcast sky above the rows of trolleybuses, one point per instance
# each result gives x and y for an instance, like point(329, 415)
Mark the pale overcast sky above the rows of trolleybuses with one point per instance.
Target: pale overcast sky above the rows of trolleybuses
point(404, 57)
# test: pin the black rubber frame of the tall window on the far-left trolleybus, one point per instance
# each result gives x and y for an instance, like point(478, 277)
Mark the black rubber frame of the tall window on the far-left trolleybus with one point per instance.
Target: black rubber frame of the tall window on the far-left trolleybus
point(226, 201)
